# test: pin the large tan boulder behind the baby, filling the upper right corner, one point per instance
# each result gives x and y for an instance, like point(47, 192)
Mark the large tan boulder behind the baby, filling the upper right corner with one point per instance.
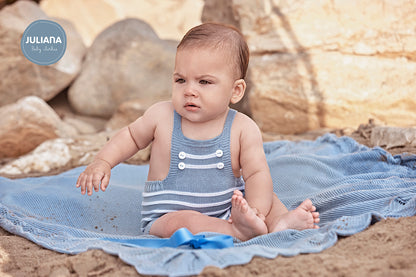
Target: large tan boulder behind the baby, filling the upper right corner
point(318, 64)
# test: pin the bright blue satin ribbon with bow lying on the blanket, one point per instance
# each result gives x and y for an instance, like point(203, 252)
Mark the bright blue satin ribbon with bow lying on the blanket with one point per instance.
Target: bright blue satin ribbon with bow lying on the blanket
point(179, 238)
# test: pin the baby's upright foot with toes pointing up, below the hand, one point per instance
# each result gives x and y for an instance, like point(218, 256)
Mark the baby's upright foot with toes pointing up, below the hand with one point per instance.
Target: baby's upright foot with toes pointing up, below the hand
point(245, 221)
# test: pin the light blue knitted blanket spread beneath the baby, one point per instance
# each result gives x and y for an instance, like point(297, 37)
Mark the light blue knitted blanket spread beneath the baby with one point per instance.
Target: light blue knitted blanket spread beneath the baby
point(351, 185)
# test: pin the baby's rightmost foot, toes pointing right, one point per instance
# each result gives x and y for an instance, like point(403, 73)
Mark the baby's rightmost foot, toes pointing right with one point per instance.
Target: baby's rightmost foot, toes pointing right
point(303, 217)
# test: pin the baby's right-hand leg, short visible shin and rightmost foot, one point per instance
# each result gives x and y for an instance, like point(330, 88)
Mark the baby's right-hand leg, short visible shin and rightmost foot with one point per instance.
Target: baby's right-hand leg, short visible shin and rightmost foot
point(303, 217)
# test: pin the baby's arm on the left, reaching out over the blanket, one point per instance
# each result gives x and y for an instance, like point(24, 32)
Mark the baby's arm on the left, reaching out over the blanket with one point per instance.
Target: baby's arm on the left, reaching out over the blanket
point(122, 145)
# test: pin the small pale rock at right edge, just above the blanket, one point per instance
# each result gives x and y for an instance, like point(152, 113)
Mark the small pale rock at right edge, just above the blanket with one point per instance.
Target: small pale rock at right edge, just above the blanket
point(390, 137)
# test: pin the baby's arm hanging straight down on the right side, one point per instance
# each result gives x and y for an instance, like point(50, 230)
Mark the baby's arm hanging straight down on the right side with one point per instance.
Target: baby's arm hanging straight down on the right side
point(258, 182)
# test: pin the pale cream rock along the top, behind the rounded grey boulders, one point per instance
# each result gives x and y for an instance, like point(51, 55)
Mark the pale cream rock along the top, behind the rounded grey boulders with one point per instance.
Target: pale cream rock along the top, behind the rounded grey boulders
point(170, 19)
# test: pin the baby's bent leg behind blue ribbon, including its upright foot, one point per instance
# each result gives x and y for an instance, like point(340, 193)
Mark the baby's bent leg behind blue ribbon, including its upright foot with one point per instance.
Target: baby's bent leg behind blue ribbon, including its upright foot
point(245, 224)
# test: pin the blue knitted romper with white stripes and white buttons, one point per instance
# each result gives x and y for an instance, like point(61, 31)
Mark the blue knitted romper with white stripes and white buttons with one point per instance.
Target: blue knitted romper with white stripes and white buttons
point(200, 177)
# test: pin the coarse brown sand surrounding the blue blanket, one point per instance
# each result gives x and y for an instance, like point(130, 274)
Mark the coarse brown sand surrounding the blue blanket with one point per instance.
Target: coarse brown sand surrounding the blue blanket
point(387, 248)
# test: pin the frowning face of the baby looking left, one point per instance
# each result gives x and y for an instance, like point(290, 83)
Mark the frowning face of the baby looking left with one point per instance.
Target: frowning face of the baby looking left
point(203, 83)
